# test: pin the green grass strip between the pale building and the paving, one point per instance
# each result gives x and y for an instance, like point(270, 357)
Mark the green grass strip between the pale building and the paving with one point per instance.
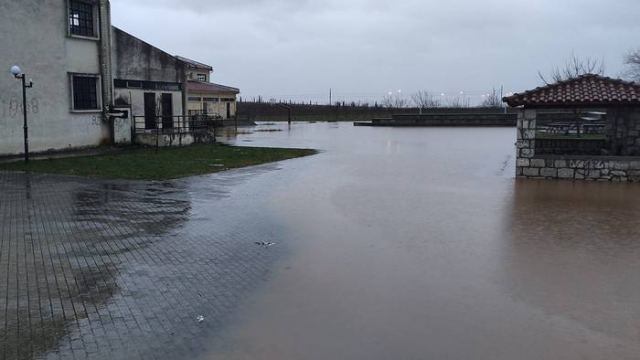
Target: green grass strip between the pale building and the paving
point(167, 163)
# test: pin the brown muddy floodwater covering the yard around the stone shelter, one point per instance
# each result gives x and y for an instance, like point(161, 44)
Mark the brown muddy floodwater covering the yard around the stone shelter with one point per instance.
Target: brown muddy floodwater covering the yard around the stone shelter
point(420, 244)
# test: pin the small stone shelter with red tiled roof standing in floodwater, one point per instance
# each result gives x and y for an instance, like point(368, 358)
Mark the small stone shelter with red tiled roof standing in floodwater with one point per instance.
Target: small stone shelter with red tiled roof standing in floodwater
point(606, 112)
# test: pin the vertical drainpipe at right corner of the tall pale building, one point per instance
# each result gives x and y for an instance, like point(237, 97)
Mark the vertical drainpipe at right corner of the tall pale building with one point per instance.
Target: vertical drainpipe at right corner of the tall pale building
point(106, 72)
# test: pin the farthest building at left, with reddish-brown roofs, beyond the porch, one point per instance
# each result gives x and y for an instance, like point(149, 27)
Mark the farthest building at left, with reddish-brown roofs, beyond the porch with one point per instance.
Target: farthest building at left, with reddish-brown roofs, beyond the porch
point(205, 97)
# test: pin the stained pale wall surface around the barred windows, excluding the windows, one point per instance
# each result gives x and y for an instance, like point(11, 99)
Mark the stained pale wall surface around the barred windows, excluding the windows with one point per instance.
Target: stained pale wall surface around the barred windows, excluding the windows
point(35, 36)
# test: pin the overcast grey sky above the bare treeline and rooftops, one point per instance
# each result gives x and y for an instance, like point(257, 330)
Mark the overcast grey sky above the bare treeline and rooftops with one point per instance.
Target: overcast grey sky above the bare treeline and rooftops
point(363, 49)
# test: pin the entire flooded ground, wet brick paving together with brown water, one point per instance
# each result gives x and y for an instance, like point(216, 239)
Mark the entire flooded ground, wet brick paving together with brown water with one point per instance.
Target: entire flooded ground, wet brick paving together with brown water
point(389, 244)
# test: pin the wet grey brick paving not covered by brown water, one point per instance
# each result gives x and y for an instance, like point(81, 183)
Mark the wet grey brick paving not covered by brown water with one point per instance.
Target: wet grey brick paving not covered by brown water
point(121, 270)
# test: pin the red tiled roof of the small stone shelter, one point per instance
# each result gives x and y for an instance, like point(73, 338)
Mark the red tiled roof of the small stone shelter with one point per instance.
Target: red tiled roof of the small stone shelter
point(586, 90)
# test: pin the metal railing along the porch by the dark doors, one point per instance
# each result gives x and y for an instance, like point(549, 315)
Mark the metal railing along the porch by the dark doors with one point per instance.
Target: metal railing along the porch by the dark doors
point(159, 125)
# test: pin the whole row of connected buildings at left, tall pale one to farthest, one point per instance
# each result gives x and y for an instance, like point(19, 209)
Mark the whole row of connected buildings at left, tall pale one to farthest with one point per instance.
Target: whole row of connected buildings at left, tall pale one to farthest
point(94, 84)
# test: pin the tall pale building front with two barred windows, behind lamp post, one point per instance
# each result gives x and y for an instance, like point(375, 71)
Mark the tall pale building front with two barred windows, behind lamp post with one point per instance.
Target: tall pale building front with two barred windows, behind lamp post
point(61, 46)
